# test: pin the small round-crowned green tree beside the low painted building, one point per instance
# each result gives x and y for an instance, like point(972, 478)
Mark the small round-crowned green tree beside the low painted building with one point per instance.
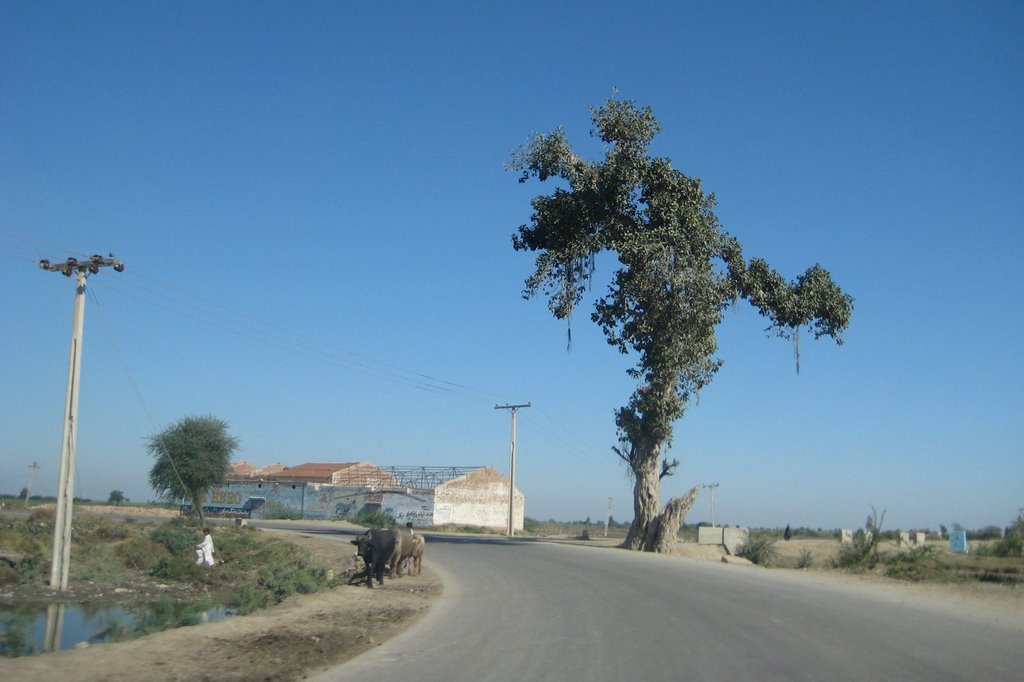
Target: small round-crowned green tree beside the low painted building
point(193, 456)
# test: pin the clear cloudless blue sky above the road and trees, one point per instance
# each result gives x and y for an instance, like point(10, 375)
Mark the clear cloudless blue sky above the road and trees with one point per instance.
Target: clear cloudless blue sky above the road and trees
point(312, 203)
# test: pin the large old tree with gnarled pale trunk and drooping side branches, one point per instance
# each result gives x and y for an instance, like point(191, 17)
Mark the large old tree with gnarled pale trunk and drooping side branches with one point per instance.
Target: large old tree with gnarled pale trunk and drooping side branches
point(678, 273)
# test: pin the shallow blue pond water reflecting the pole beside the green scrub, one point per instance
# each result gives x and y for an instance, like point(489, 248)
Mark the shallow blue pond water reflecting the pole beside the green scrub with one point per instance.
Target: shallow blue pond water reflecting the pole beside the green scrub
point(37, 629)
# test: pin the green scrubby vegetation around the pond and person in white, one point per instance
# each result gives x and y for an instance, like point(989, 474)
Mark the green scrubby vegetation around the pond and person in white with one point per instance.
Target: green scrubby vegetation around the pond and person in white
point(152, 569)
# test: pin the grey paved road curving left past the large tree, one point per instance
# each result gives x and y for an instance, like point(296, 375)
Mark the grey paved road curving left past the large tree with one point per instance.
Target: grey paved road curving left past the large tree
point(526, 612)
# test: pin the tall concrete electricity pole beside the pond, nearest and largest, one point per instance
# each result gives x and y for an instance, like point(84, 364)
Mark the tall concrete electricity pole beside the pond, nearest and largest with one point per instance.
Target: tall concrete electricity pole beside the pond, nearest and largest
point(66, 488)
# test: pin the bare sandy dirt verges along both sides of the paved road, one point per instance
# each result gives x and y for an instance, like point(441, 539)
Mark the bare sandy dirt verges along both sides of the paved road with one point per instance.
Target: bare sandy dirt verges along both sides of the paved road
point(309, 634)
